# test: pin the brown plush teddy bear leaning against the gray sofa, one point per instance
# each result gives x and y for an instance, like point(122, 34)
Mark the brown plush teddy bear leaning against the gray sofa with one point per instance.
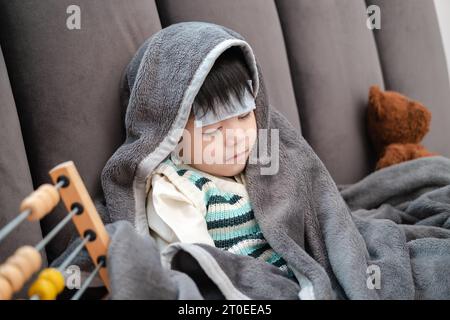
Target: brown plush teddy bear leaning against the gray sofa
point(396, 125)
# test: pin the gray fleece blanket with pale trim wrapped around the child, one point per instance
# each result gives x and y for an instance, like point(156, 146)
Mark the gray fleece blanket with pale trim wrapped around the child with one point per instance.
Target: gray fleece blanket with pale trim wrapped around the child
point(385, 237)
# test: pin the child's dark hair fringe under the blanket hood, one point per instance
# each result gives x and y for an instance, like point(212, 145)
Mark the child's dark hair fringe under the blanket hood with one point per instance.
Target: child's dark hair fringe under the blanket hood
point(228, 76)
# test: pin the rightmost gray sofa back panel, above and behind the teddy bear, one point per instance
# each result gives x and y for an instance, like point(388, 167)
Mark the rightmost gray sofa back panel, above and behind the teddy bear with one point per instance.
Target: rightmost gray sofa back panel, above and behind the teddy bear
point(413, 62)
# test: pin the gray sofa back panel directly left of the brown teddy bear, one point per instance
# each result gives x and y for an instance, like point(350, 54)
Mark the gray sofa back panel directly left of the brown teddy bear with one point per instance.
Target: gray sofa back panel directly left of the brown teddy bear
point(333, 61)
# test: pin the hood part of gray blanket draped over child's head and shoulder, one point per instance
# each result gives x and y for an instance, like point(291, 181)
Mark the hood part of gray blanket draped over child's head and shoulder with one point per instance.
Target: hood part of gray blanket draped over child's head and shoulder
point(158, 89)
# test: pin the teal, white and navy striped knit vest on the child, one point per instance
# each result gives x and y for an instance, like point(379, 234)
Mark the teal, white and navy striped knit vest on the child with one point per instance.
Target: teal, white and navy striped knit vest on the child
point(229, 215)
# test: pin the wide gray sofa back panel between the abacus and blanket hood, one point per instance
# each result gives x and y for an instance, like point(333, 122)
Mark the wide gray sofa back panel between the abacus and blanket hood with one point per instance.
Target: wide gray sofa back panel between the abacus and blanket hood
point(66, 83)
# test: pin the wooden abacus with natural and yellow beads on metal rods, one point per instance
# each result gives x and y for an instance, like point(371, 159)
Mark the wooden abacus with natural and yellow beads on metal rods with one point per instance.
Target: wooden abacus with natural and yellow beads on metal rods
point(27, 260)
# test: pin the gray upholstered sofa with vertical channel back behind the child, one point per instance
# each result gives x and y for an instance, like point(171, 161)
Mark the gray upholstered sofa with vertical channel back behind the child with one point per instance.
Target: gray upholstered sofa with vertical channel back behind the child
point(59, 88)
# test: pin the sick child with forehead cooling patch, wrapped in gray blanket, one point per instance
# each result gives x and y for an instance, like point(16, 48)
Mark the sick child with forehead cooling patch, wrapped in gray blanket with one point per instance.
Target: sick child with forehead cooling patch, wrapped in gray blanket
point(200, 196)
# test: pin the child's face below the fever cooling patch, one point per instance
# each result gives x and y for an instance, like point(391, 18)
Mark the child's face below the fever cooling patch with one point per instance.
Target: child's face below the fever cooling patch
point(222, 148)
